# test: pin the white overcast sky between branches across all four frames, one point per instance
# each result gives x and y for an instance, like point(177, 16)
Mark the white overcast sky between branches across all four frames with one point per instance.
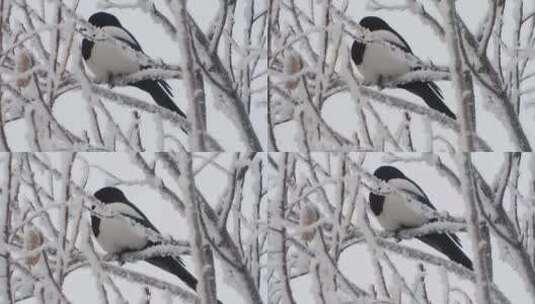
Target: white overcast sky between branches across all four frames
point(338, 112)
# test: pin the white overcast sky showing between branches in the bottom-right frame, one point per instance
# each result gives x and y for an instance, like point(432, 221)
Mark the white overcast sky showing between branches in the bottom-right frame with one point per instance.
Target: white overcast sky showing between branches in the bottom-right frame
point(355, 262)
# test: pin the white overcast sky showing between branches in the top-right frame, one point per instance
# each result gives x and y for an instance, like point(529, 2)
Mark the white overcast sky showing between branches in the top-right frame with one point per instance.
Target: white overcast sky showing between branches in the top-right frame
point(339, 110)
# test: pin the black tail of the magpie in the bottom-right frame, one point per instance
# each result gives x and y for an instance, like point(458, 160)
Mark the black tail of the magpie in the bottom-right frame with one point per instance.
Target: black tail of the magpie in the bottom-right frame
point(446, 244)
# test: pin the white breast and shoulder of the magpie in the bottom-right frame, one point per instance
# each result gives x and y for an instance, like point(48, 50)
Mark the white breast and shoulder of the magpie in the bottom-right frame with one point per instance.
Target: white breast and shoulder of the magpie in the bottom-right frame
point(397, 211)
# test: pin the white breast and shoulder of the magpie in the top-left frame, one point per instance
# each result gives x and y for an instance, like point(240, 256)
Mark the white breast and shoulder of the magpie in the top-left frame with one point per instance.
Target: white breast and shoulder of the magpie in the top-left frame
point(108, 59)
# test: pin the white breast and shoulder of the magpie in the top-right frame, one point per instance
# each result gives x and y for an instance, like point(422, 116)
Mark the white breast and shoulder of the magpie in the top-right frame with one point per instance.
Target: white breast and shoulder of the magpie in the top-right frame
point(381, 59)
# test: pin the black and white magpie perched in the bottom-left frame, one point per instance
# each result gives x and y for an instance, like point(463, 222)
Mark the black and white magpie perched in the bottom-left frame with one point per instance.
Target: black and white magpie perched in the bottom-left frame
point(117, 234)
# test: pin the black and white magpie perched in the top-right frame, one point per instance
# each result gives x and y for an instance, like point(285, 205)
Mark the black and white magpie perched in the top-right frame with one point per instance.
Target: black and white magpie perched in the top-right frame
point(381, 55)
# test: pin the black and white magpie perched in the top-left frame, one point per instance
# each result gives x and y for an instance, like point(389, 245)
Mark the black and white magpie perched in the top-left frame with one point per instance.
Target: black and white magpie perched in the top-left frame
point(106, 60)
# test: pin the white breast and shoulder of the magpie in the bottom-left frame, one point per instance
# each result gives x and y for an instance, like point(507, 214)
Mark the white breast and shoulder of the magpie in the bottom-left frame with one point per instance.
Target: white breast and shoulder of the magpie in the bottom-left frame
point(118, 233)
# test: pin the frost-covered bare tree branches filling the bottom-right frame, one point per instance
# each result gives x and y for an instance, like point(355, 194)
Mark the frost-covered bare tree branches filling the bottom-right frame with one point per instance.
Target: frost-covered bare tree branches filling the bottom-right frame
point(347, 259)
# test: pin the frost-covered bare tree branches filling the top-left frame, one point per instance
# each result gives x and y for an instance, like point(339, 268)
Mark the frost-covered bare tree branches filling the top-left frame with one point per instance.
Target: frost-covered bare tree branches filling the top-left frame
point(42, 69)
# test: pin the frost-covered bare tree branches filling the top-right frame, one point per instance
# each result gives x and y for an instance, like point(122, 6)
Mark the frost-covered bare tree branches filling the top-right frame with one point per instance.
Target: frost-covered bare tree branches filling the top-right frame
point(311, 64)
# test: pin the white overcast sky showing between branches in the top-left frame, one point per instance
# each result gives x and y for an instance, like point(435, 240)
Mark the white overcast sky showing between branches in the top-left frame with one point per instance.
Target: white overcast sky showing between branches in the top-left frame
point(70, 109)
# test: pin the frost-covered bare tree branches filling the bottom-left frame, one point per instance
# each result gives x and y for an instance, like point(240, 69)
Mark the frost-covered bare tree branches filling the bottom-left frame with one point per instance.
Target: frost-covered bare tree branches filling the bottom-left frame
point(46, 236)
